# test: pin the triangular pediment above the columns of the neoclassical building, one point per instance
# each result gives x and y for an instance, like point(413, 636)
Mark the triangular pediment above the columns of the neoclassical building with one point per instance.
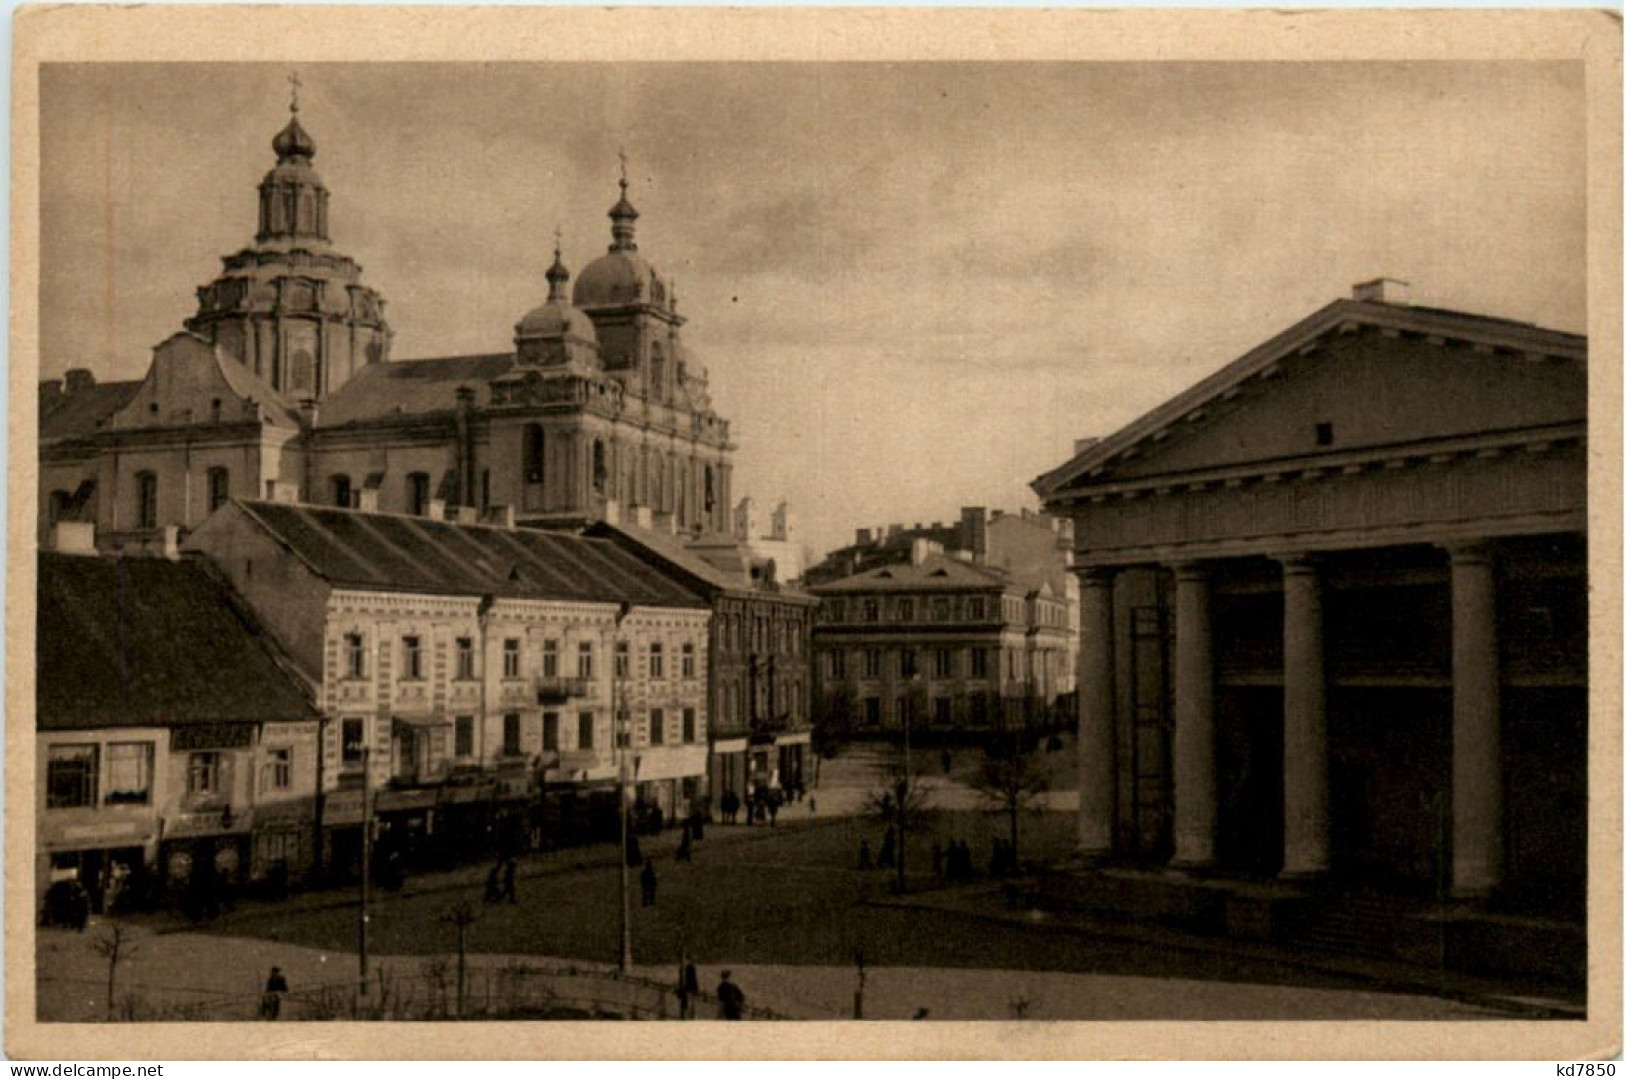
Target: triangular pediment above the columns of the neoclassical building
point(1351, 379)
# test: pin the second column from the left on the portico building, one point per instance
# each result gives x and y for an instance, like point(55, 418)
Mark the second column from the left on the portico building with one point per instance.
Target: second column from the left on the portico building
point(1195, 766)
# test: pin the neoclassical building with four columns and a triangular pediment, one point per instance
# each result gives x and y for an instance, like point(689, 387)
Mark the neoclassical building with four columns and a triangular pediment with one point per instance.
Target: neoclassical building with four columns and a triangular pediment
point(1335, 612)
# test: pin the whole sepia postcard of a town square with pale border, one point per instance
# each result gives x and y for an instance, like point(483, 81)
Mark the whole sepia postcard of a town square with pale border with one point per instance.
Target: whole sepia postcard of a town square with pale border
point(763, 540)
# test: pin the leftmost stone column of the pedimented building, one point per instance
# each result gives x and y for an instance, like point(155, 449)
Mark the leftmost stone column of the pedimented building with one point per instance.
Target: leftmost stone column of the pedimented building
point(1096, 714)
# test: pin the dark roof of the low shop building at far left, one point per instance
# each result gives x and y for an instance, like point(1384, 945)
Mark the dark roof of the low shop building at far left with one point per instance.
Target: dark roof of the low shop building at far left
point(150, 643)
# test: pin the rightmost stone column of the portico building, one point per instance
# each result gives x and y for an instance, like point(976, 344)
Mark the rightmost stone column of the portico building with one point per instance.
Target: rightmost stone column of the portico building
point(1476, 730)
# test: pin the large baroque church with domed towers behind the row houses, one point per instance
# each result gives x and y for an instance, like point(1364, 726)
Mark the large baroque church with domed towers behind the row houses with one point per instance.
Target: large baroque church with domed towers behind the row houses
point(282, 388)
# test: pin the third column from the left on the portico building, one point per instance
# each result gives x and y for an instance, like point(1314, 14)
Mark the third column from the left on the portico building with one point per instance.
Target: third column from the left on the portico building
point(1306, 769)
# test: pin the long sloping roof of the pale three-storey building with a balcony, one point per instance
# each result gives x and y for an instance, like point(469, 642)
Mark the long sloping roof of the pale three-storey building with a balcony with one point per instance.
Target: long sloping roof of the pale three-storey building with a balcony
point(392, 552)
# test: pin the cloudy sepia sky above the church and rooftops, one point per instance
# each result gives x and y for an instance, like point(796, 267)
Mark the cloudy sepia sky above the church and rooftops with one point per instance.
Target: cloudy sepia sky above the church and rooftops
point(914, 285)
